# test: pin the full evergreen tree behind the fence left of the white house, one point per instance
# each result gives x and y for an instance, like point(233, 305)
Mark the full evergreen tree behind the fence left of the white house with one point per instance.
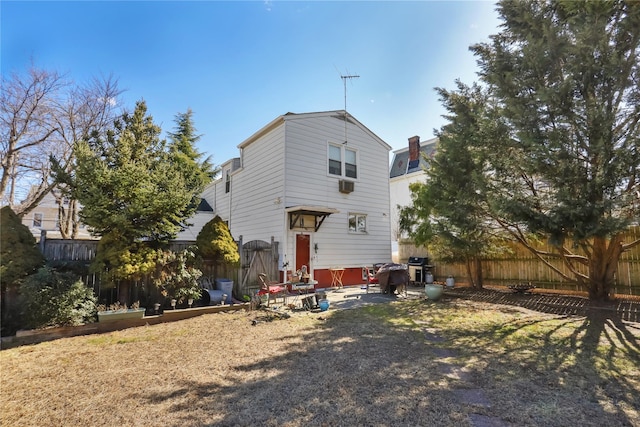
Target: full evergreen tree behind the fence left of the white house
point(132, 194)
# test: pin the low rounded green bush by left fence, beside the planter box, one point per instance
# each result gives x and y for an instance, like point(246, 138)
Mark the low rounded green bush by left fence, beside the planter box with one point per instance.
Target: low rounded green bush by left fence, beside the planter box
point(51, 298)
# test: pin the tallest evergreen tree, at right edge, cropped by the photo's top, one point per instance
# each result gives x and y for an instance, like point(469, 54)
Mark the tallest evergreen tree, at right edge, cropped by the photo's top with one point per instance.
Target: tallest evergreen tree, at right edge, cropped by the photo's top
point(567, 77)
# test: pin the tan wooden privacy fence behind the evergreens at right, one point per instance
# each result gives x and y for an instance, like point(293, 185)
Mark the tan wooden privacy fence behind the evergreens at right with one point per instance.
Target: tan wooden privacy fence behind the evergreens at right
point(522, 266)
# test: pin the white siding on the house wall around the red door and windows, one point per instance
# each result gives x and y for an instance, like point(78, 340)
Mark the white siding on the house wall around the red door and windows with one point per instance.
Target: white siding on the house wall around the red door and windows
point(306, 162)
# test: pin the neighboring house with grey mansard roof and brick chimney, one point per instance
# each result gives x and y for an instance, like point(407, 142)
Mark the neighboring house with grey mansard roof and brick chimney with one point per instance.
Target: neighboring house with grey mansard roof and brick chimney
point(408, 166)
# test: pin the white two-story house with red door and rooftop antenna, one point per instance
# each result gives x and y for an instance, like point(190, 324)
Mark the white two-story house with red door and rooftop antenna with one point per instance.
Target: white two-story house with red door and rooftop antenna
point(317, 184)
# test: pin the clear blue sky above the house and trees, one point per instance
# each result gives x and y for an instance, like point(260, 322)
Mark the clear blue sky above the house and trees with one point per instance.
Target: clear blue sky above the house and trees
point(240, 64)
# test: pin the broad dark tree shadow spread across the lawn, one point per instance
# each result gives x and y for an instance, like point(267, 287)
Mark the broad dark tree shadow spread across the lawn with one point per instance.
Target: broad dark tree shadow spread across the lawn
point(374, 366)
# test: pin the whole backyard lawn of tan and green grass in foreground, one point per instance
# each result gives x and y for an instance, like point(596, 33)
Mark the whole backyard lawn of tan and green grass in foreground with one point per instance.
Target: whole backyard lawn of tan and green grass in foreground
point(413, 362)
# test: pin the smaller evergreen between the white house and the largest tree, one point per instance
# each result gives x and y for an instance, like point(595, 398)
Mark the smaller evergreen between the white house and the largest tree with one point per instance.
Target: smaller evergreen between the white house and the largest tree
point(449, 212)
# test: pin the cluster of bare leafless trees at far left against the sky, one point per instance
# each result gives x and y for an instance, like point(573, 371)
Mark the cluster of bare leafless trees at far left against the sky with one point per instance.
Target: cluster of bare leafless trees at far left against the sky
point(42, 116)
